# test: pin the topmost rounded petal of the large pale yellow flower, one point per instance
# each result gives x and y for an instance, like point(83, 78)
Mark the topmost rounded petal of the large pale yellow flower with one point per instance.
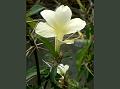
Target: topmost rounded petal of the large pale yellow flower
point(63, 14)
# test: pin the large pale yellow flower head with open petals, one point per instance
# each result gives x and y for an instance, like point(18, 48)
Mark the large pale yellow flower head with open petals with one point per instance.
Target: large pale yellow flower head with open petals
point(58, 23)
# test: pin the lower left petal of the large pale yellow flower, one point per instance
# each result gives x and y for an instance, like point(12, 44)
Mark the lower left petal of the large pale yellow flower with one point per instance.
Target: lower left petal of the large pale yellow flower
point(44, 30)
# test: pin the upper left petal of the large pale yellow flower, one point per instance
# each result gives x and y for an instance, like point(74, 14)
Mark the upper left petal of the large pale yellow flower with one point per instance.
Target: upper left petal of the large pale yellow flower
point(49, 16)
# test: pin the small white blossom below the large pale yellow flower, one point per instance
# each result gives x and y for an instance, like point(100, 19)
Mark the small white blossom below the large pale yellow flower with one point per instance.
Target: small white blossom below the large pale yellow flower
point(61, 69)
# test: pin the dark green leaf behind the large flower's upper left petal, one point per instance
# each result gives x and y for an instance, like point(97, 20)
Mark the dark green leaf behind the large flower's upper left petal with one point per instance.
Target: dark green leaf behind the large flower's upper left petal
point(35, 9)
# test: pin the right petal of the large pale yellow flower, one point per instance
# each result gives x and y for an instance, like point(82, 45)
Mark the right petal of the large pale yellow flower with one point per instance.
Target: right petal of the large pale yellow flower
point(75, 25)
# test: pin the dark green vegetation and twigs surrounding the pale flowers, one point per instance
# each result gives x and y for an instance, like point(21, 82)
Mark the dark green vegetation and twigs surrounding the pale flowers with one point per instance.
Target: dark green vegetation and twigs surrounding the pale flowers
point(40, 51)
